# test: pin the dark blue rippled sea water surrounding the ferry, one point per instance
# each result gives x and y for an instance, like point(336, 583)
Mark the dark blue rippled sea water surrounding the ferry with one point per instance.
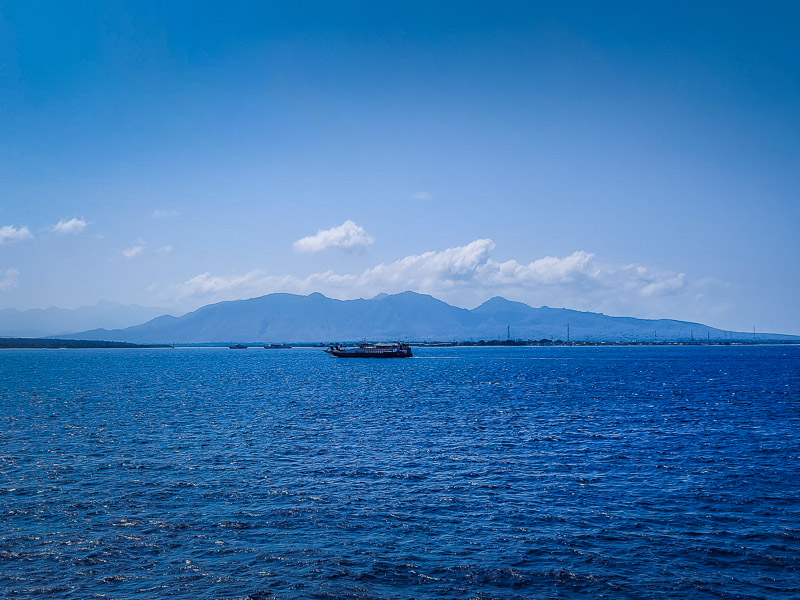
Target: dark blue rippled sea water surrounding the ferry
point(644, 472)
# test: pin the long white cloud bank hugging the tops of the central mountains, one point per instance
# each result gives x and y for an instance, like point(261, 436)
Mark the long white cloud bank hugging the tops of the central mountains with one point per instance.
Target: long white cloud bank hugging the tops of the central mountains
point(468, 275)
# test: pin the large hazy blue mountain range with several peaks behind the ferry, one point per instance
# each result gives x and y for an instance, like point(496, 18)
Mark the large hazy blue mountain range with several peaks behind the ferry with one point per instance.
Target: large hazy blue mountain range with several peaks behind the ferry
point(404, 316)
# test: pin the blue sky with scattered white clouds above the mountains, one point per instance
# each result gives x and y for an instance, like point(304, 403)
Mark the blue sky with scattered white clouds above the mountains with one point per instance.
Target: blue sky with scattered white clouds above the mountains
point(637, 159)
